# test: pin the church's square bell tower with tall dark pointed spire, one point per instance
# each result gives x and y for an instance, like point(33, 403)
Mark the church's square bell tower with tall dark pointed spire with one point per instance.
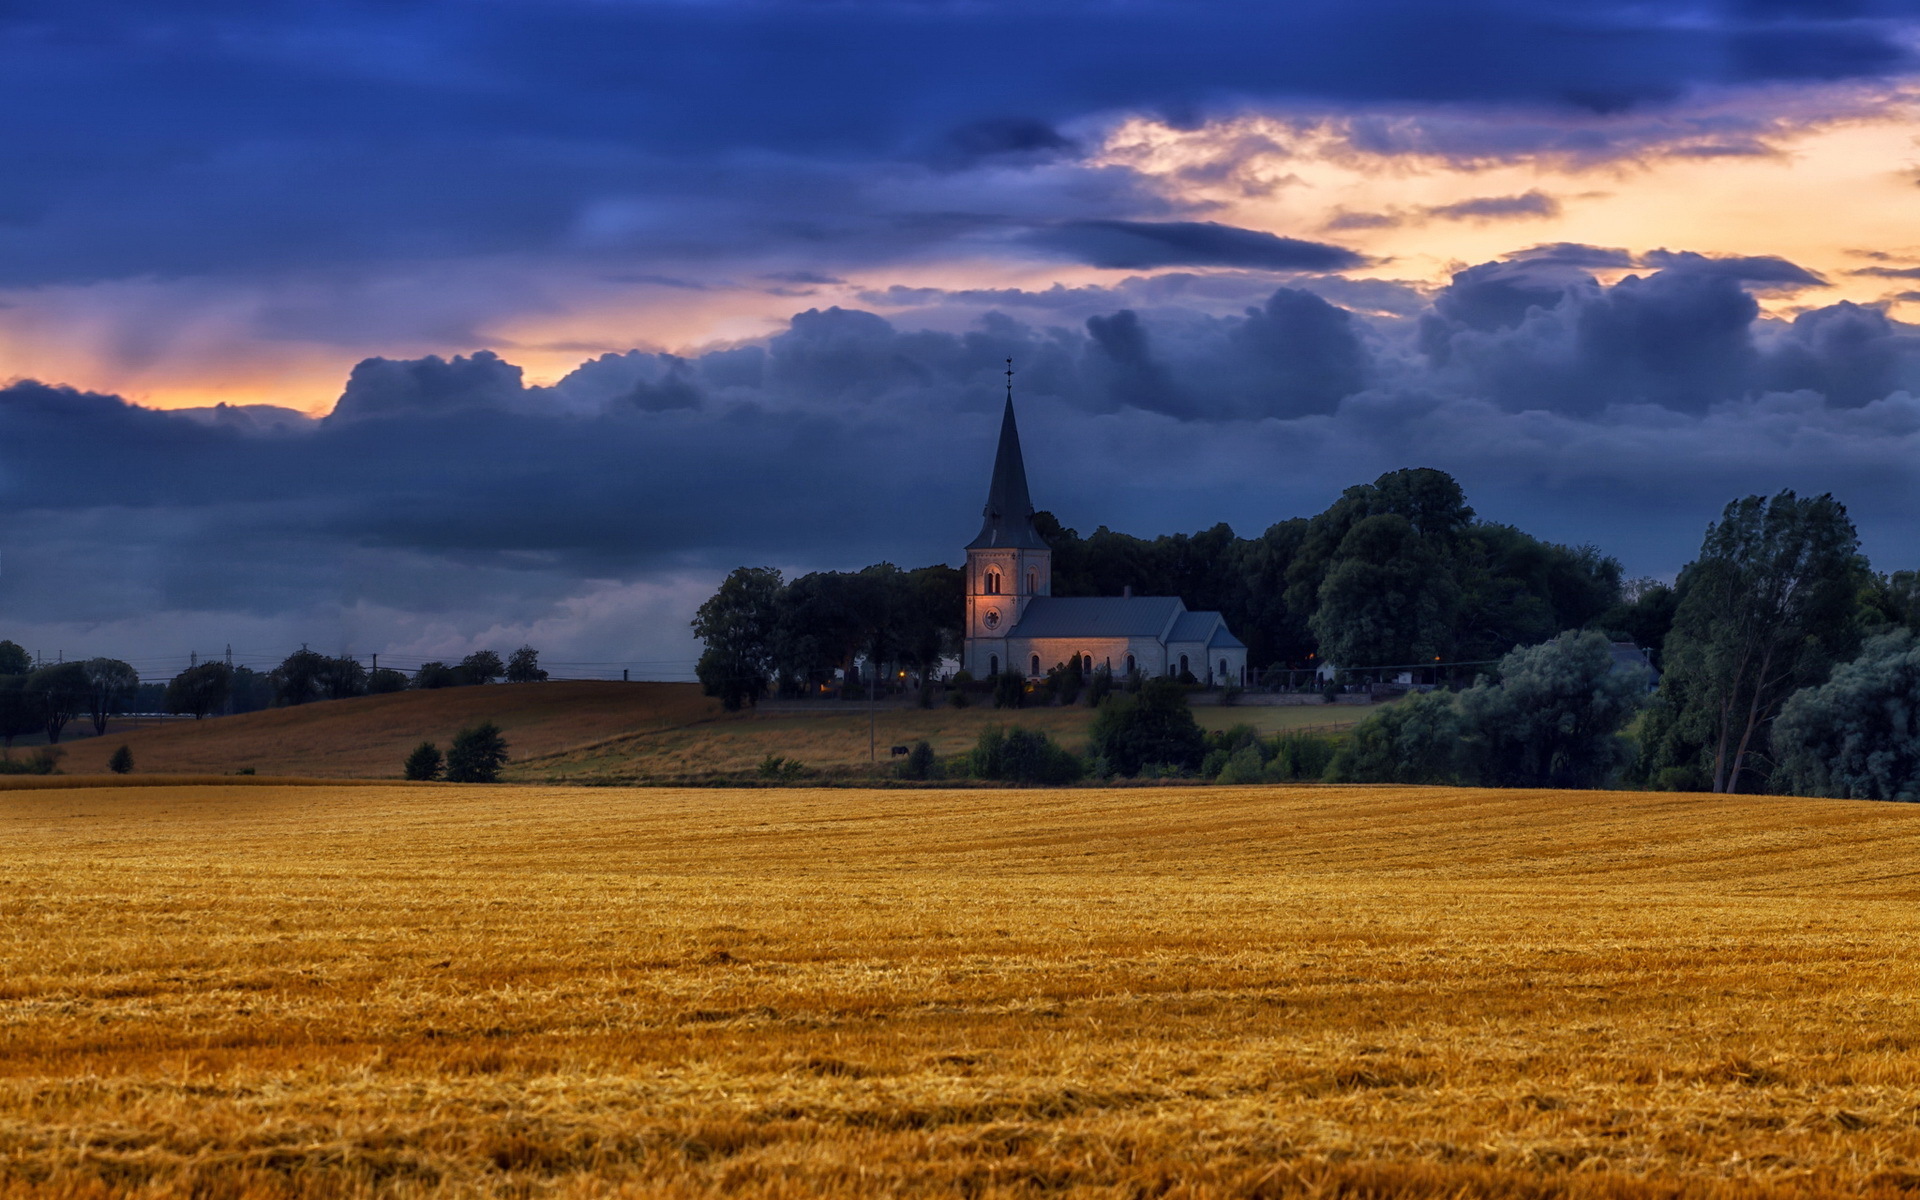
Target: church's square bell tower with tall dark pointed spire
point(1009, 564)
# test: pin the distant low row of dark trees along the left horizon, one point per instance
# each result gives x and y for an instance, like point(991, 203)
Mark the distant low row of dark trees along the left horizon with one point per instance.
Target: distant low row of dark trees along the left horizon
point(51, 698)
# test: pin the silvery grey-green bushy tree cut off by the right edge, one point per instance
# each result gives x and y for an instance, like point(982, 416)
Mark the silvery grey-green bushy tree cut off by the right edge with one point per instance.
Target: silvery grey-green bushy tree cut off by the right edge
point(1858, 736)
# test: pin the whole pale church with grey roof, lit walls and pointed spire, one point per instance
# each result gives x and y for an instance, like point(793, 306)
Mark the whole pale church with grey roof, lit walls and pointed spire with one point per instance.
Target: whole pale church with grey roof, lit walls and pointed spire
point(1017, 623)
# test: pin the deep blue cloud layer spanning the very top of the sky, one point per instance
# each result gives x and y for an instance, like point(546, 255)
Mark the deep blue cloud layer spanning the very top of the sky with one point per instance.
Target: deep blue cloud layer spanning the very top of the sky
point(212, 137)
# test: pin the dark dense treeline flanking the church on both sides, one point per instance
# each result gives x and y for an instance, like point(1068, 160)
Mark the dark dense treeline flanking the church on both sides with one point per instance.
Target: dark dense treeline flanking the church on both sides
point(1393, 573)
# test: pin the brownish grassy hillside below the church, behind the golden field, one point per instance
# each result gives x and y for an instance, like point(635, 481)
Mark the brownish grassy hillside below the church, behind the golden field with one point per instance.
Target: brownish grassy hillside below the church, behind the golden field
point(587, 732)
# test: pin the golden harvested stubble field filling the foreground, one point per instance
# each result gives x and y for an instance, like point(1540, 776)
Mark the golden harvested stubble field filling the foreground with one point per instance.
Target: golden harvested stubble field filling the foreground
point(381, 990)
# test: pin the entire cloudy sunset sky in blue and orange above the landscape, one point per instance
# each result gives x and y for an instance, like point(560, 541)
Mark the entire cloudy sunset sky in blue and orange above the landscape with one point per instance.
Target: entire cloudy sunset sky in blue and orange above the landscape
point(416, 327)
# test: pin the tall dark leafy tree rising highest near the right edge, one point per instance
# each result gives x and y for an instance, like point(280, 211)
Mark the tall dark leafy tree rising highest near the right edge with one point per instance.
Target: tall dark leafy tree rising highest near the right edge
point(1765, 612)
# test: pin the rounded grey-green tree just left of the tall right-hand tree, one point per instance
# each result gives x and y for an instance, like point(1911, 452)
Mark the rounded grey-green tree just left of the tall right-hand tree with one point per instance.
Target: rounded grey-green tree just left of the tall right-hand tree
point(1554, 717)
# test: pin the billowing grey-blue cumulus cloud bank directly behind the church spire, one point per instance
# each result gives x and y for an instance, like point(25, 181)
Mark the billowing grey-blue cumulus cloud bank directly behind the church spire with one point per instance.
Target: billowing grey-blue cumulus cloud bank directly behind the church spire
point(450, 494)
